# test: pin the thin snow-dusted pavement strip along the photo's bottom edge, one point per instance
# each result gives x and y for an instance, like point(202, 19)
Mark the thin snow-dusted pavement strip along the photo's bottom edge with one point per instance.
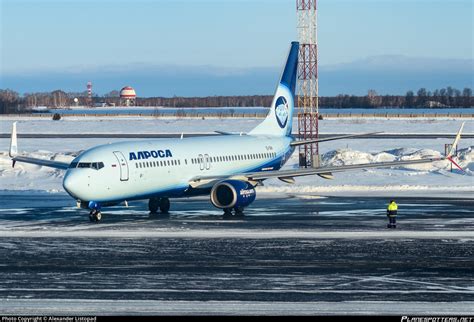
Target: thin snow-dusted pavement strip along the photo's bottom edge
point(153, 307)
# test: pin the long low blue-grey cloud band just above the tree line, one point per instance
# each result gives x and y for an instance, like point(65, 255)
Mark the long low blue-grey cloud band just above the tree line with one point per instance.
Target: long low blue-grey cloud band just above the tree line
point(385, 74)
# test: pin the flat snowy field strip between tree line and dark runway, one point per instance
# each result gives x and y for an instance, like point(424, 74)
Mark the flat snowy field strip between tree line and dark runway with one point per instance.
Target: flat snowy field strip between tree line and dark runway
point(127, 124)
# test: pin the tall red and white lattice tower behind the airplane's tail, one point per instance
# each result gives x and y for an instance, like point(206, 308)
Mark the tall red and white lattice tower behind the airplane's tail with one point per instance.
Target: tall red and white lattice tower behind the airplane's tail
point(307, 82)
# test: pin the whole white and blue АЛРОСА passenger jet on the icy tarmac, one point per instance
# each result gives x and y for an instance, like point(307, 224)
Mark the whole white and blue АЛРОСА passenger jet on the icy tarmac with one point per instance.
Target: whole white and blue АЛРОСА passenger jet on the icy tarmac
point(226, 167)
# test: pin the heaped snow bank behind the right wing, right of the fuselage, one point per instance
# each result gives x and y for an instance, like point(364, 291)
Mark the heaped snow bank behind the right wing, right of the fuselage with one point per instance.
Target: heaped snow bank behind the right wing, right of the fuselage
point(426, 178)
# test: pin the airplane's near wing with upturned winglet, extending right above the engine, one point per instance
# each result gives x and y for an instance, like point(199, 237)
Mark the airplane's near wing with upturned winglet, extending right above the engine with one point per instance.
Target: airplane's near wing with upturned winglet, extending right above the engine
point(325, 172)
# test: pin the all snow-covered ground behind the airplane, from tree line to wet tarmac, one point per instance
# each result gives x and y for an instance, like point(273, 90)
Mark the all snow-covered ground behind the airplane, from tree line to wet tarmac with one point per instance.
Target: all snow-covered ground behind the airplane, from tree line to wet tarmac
point(429, 179)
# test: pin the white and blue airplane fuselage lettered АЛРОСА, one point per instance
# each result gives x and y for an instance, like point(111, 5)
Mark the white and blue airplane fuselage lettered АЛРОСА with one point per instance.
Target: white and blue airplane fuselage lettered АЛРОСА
point(164, 167)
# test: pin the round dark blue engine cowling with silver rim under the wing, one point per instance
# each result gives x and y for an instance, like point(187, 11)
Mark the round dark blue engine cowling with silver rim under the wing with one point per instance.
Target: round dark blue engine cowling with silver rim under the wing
point(232, 193)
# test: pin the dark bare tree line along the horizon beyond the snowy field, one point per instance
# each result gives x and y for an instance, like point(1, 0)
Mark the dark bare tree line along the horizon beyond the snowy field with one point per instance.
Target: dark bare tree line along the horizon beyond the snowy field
point(13, 102)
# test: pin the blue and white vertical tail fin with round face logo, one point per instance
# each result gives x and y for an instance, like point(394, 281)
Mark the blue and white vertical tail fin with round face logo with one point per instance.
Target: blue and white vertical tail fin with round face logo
point(279, 120)
